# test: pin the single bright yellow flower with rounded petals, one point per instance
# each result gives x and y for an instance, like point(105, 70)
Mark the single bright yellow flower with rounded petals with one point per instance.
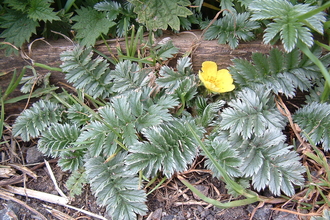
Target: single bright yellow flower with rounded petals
point(215, 80)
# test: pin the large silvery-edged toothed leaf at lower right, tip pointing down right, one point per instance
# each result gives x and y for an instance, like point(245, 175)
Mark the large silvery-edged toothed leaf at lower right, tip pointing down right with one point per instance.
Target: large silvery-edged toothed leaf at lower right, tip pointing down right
point(267, 160)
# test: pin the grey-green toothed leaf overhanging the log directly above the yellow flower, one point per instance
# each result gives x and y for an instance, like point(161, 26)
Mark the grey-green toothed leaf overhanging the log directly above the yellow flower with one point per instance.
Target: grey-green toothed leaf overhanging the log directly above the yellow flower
point(232, 28)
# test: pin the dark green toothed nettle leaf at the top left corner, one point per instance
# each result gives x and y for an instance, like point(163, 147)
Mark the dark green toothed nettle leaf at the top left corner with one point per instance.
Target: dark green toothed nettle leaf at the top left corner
point(18, 29)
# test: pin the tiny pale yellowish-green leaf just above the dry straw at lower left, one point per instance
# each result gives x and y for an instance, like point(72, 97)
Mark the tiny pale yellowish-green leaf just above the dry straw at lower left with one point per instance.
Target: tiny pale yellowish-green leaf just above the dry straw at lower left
point(76, 182)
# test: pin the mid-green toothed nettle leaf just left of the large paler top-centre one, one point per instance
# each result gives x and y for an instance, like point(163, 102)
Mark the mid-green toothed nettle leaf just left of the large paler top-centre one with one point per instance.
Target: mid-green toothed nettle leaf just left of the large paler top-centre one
point(90, 24)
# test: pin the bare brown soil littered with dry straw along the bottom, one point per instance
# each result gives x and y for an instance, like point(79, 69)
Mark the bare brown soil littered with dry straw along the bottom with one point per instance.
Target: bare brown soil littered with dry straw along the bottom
point(171, 201)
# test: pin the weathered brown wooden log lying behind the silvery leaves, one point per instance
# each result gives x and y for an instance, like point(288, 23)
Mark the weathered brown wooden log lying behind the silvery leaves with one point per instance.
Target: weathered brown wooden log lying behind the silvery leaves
point(49, 54)
